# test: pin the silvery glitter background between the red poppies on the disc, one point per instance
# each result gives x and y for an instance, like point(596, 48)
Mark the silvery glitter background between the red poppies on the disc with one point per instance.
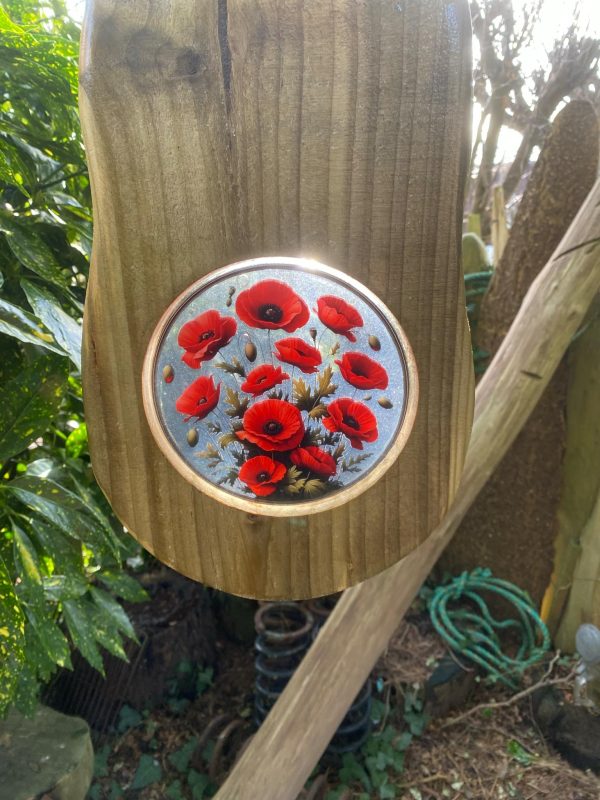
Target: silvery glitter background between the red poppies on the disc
point(309, 286)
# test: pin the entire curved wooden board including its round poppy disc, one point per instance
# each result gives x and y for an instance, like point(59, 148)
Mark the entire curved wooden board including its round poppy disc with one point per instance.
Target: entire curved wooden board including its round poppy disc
point(295, 132)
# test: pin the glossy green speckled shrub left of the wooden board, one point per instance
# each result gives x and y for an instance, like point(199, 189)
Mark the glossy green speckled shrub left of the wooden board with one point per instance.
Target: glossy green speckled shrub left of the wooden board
point(61, 551)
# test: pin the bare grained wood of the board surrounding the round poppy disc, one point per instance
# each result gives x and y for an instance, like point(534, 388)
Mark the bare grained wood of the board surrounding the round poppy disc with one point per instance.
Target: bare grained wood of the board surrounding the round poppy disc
point(223, 131)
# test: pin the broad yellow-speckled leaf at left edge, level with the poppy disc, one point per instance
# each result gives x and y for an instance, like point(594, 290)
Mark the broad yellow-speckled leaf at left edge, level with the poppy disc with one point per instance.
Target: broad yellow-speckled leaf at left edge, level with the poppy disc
point(30, 402)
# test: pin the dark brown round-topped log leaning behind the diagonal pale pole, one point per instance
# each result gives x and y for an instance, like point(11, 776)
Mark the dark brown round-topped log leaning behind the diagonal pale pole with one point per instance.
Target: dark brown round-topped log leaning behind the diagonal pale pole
point(513, 525)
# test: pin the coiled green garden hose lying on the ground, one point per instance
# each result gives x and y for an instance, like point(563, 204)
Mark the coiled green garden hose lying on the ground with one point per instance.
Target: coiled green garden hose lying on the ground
point(461, 617)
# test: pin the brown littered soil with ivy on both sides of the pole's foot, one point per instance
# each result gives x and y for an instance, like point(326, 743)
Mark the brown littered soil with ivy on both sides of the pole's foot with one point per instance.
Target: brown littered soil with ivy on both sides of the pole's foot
point(174, 751)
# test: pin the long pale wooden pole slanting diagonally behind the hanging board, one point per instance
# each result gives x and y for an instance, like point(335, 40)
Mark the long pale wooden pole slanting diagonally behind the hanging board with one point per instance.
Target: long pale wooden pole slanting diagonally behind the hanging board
point(300, 726)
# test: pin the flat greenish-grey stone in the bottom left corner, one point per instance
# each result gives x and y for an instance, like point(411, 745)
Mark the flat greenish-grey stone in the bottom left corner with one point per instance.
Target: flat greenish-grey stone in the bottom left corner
point(50, 754)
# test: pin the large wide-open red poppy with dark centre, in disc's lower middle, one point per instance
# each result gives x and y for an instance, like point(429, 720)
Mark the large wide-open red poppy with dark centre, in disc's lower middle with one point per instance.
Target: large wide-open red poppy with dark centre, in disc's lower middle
point(273, 425)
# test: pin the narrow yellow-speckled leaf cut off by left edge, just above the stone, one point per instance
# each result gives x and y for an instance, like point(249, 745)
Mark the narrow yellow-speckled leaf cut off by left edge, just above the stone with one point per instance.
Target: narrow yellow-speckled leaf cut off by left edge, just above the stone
point(12, 639)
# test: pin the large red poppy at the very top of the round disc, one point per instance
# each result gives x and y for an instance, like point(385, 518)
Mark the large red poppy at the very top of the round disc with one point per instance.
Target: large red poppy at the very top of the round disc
point(273, 305)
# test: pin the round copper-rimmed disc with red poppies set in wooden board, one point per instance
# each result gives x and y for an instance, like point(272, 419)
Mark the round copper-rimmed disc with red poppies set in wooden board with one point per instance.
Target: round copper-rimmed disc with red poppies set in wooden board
point(280, 386)
